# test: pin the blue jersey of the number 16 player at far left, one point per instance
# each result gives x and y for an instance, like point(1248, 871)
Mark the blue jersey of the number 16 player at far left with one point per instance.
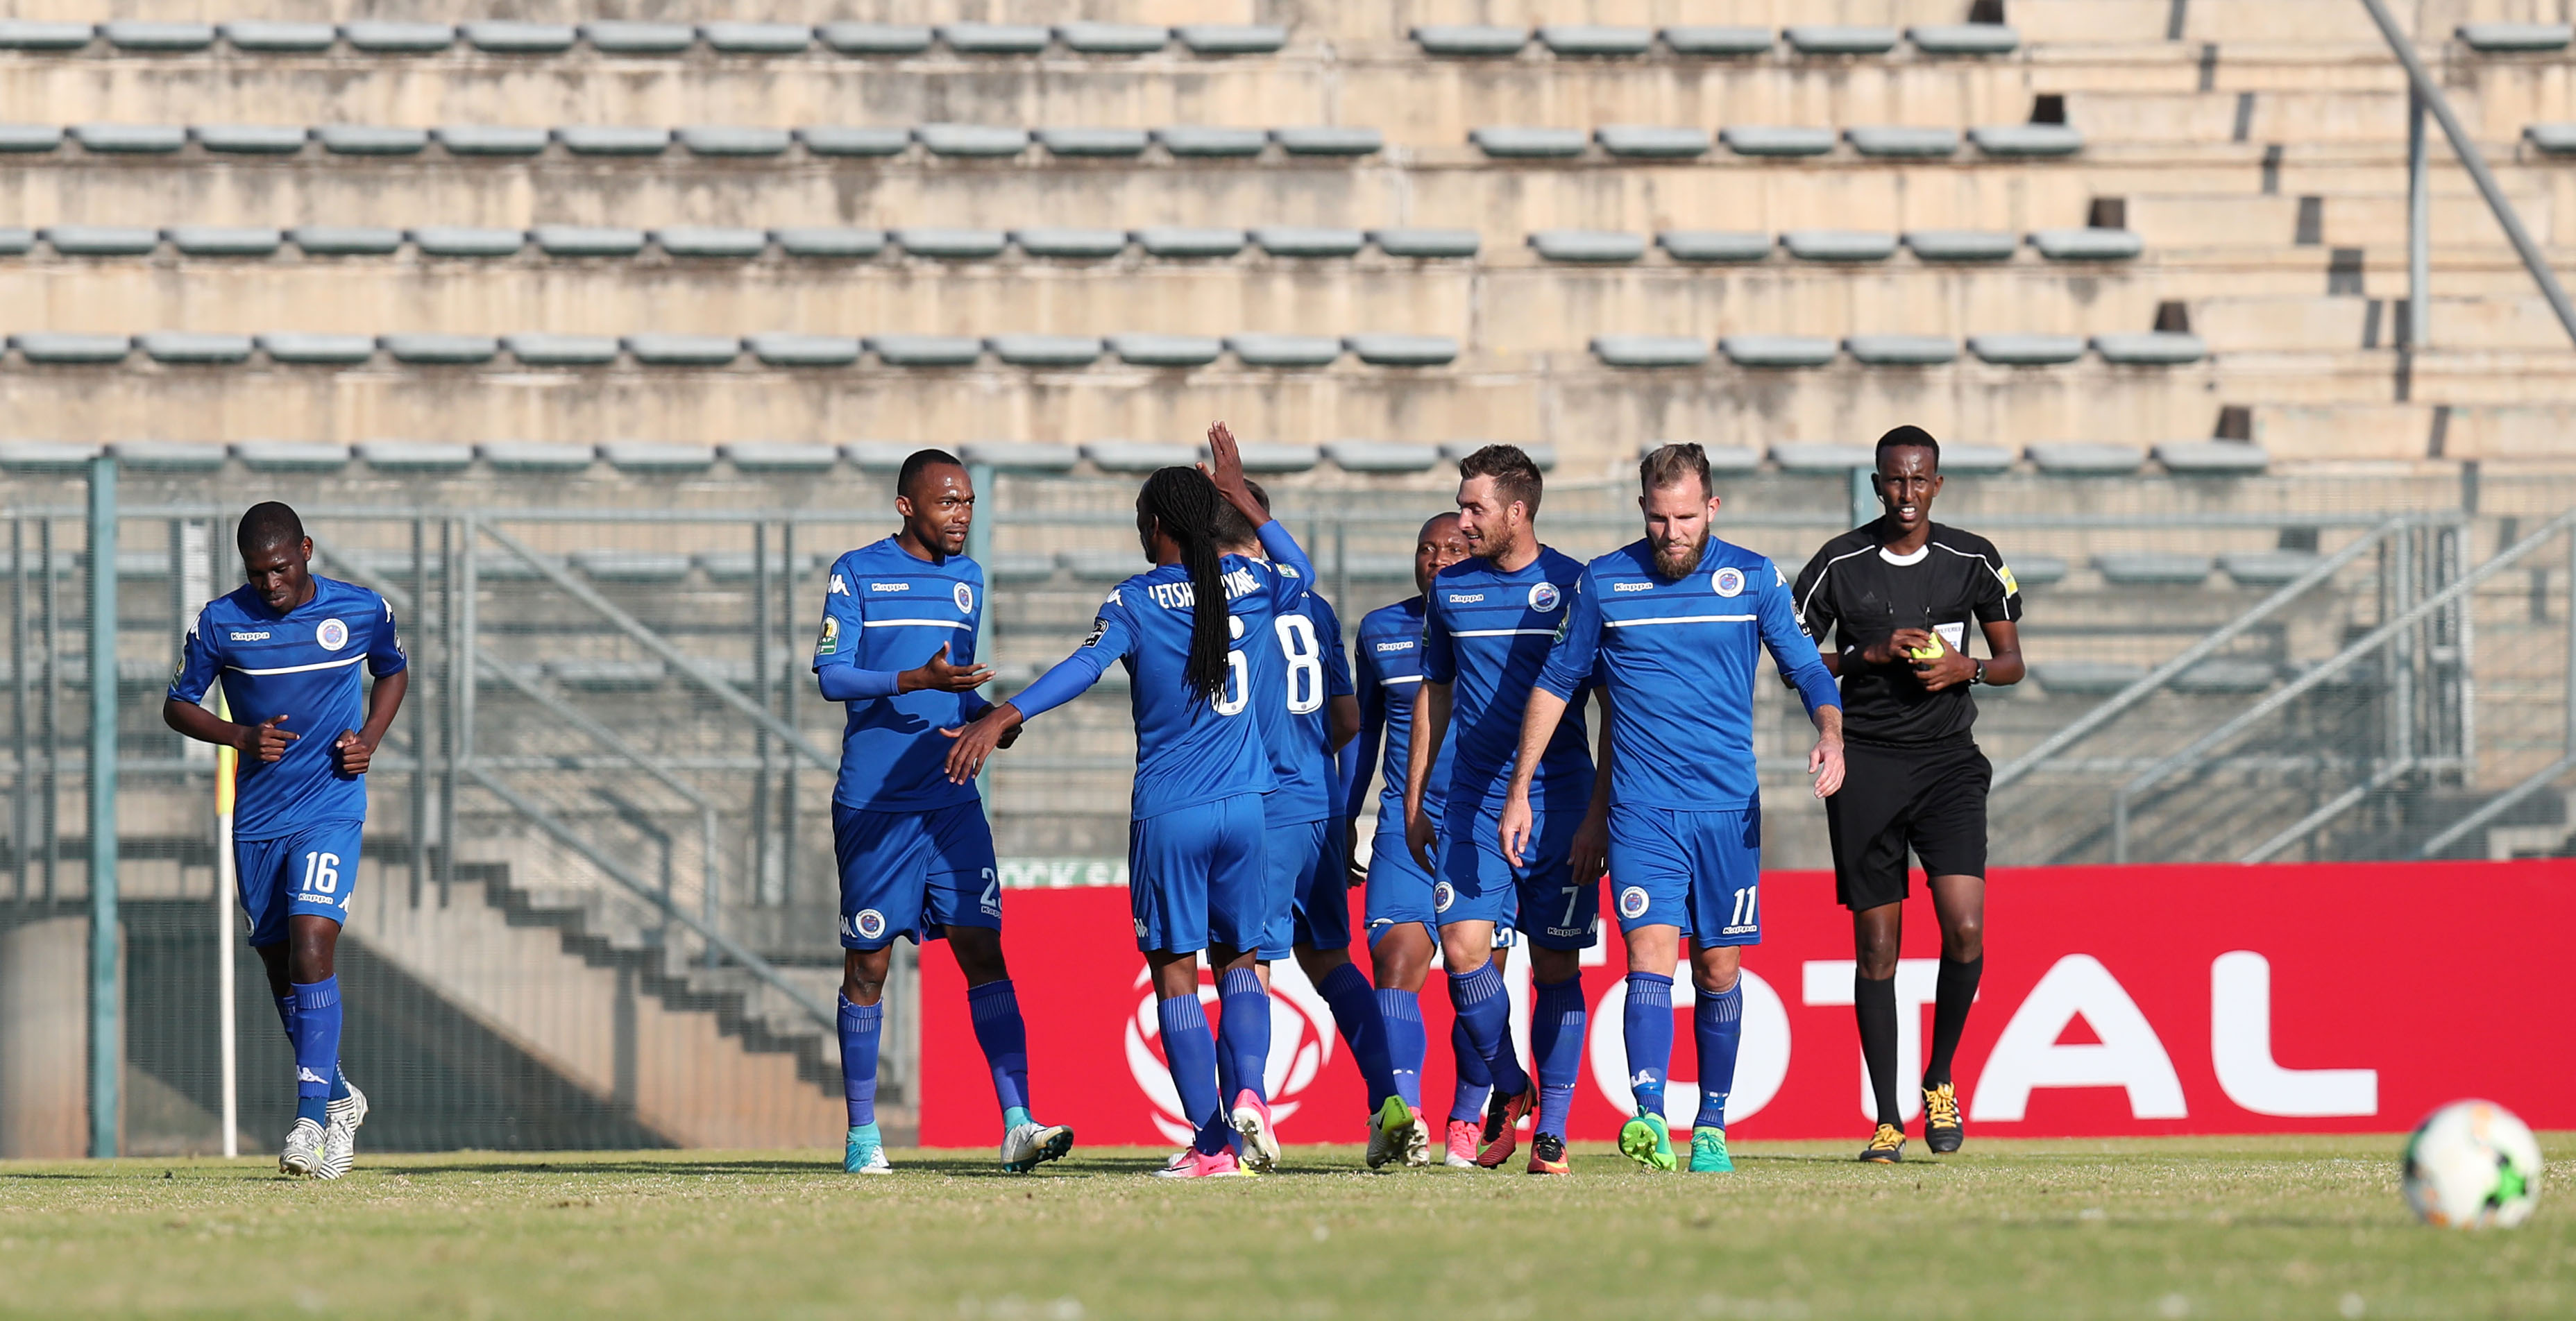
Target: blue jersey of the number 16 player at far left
point(300, 666)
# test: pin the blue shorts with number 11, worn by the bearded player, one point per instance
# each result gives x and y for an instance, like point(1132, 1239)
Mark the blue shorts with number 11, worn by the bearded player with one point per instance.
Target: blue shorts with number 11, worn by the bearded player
point(1689, 869)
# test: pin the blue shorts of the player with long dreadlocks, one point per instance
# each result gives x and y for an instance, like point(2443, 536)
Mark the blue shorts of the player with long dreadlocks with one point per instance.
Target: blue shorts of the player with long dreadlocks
point(1197, 877)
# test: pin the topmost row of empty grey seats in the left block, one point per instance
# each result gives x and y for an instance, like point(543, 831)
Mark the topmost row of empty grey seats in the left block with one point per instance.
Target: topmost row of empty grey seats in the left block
point(625, 40)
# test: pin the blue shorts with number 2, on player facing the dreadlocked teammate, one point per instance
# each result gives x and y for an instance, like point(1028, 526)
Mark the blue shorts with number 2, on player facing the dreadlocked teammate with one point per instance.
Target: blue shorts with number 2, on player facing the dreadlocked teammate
point(913, 874)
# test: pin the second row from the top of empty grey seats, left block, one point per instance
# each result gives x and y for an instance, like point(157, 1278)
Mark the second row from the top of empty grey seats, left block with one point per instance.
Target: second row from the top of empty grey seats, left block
point(705, 140)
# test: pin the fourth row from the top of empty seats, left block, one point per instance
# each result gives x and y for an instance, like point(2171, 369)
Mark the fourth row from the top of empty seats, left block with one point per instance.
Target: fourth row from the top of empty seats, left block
point(710, 351)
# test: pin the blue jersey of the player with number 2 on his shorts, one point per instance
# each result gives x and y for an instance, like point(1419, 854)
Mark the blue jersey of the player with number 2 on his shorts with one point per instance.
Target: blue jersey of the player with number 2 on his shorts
point(882, 614)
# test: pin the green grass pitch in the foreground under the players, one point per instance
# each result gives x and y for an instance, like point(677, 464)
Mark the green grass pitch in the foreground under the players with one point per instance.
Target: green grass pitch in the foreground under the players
point(2196, 1227)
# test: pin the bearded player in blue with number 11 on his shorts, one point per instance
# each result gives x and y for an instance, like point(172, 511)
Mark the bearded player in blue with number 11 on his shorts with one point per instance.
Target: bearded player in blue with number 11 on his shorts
point(1673, 630)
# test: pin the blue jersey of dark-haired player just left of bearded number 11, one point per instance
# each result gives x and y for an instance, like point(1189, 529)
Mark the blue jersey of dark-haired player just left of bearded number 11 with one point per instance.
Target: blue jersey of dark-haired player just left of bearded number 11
point(1488, 635)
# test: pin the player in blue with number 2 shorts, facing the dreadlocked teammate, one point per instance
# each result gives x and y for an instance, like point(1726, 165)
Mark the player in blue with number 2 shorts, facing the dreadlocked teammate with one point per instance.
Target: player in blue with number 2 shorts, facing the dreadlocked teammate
point(916, 851)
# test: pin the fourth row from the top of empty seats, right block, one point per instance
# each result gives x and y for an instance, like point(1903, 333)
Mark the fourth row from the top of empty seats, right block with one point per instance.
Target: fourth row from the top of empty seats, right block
point(1812, 351)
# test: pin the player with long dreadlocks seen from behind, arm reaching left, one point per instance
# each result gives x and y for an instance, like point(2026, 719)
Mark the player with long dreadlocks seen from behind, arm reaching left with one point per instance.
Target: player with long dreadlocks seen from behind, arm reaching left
point(1197, 867)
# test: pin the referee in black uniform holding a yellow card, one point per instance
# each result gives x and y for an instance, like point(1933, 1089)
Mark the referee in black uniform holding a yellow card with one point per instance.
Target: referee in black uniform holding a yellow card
point(1897, 599)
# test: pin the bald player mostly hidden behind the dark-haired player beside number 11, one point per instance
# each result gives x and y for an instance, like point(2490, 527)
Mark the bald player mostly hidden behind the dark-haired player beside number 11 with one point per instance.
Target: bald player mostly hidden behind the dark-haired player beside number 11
point(1403, 928)
